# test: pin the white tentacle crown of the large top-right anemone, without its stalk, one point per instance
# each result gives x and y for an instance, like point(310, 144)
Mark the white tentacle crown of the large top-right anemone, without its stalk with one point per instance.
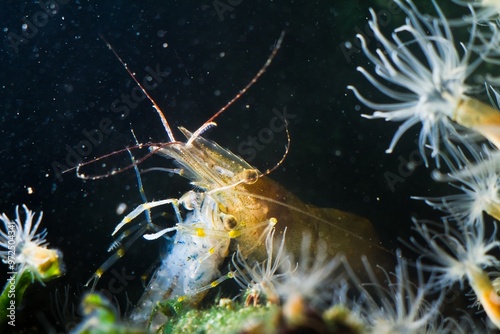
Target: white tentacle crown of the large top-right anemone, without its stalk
point(424, 73)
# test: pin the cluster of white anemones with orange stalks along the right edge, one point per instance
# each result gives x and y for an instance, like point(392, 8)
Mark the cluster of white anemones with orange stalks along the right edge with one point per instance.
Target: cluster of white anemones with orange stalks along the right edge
point(430, 79)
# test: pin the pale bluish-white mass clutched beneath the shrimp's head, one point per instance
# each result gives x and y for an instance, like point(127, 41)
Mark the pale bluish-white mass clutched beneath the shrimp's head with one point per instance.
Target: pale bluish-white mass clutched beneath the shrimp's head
point(191, 263)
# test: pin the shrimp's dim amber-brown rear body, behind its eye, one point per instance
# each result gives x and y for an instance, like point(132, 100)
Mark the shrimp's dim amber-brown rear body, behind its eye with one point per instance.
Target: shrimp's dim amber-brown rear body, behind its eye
point(343, 232)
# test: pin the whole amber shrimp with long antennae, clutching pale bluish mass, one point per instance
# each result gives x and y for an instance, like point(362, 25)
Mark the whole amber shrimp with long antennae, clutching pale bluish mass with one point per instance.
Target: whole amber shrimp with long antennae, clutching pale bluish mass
point(233, 207)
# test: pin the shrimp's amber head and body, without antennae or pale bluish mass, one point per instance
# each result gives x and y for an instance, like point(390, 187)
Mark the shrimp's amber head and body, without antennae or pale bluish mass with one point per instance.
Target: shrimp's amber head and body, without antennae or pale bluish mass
point(247, 201)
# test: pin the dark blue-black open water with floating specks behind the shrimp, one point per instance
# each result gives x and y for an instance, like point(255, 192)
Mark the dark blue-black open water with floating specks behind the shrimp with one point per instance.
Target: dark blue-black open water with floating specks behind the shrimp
point(63, 80)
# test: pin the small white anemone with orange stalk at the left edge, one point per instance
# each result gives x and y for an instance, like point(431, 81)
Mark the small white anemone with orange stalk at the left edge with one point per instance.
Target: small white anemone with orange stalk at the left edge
point(24, 249)
